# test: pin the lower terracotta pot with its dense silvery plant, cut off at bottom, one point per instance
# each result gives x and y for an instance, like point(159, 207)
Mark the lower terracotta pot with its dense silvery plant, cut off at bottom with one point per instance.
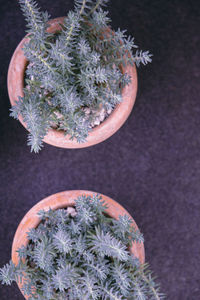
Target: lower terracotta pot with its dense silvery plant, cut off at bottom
point(87, 248)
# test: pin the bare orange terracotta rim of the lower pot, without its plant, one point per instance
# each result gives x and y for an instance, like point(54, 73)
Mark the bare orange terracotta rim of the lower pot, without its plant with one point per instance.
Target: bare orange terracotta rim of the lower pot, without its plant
point(61, 200)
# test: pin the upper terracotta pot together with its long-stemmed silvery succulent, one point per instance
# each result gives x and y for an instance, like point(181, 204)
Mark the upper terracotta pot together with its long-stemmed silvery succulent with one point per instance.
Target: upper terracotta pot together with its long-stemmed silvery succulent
point(72, 81)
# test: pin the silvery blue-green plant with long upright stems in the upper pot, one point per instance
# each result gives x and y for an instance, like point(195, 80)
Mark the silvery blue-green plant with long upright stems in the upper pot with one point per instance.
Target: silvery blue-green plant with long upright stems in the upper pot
point(76, 68)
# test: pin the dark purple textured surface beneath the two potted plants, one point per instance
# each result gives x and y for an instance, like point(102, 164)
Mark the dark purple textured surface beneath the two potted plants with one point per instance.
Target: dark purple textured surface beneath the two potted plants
point(151, 165)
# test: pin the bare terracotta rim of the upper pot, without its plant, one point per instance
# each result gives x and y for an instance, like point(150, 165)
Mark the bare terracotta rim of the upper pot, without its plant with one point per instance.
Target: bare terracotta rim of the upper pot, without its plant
point(57, 138)
